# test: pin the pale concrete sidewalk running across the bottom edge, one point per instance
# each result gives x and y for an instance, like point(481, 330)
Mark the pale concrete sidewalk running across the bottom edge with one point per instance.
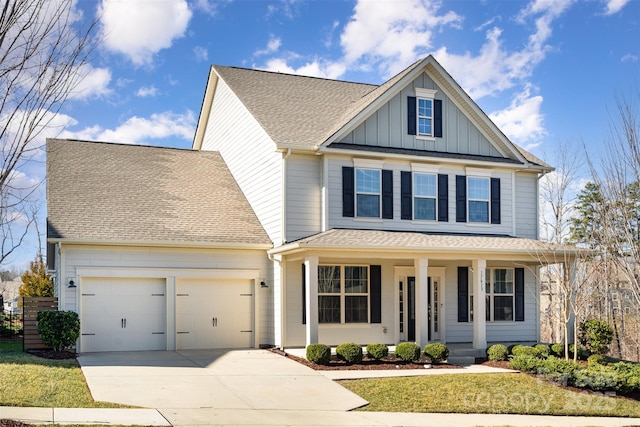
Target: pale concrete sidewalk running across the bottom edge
point(249, 417)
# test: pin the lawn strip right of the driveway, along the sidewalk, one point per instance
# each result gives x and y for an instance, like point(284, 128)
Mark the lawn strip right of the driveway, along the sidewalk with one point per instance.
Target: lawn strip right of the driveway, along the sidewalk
point(484, 393)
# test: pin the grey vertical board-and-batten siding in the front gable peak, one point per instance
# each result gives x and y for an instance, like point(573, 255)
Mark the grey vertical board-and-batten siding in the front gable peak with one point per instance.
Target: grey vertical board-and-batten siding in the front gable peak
point(387, 127)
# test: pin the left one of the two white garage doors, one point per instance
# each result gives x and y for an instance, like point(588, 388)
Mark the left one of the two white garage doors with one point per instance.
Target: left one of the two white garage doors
point(123, 314)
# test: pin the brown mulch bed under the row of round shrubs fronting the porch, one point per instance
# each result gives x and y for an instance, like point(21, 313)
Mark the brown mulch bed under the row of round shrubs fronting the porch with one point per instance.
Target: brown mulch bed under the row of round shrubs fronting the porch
point(386, 363)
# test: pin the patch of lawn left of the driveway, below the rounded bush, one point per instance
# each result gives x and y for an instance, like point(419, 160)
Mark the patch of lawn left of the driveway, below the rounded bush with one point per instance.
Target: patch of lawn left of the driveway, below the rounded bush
point(27, 380)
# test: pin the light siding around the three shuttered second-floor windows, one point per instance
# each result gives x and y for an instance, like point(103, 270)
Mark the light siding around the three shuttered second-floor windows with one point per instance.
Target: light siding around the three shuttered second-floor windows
point(336, 220)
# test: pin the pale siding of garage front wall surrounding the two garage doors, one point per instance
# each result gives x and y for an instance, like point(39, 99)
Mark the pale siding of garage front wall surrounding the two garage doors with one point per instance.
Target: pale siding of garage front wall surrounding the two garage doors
point(115, 257)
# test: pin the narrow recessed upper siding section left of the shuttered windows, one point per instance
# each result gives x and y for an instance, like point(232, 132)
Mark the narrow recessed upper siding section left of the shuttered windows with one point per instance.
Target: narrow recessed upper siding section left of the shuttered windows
point(303, 215)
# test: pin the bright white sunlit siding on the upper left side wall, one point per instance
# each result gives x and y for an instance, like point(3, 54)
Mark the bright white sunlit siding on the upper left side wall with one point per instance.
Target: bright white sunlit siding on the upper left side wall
point(250, 155)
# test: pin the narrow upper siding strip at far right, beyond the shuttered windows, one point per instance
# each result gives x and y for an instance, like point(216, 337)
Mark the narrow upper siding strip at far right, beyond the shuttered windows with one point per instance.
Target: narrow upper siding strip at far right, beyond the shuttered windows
point(526, 205)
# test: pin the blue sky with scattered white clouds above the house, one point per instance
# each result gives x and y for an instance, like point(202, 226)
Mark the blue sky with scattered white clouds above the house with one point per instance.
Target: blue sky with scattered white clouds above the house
point(547, 71)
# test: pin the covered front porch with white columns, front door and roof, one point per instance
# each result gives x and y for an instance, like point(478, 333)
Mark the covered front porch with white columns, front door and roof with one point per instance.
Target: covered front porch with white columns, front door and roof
point(369, 286)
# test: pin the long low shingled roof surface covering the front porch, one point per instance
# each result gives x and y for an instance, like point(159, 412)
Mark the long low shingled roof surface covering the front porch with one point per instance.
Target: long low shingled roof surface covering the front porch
point(418, 241)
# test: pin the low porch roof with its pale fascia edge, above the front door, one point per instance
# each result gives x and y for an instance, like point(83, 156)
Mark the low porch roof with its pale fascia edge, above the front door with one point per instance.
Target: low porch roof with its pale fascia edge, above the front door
point(432, 245)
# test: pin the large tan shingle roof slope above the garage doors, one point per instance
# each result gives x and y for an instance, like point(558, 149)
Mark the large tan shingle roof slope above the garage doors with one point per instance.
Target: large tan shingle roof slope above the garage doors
point(115, 193)
